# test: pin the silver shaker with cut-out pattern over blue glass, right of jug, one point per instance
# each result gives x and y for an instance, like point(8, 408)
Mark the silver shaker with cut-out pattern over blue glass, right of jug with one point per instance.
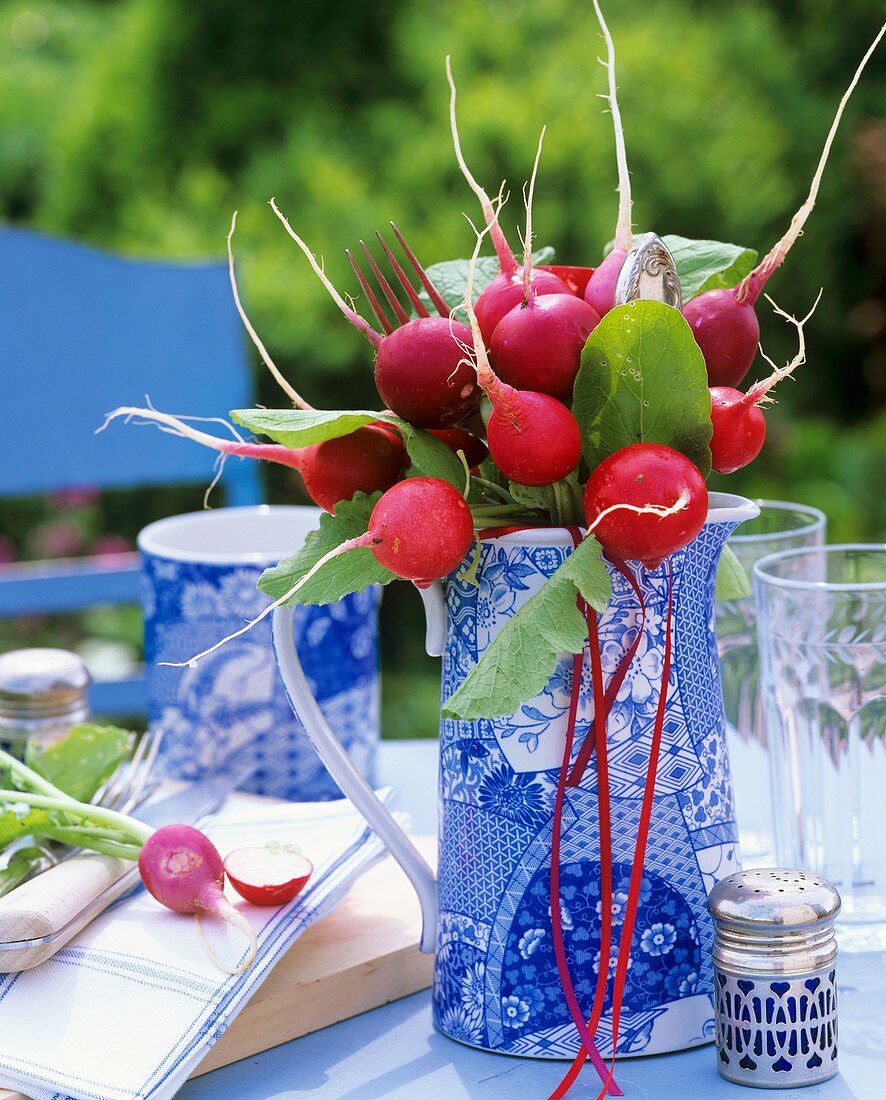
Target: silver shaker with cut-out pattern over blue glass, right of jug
point(775, 977)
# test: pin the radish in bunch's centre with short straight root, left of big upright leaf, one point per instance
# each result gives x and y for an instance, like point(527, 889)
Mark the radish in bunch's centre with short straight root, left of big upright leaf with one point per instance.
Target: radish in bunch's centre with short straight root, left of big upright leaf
point(538, 346)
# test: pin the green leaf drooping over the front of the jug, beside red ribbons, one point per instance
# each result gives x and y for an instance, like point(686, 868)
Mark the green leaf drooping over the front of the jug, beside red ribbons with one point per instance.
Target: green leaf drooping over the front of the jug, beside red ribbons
point(523, 656)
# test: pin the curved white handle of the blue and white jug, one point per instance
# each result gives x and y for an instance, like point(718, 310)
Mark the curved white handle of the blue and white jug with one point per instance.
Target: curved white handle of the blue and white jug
point(348, 778)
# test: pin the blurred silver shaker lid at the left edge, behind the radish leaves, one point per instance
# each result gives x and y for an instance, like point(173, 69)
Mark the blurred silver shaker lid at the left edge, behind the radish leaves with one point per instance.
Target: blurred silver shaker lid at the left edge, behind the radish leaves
point(42, 684)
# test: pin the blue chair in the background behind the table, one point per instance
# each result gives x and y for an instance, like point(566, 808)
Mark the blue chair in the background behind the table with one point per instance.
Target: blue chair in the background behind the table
point(82, 333)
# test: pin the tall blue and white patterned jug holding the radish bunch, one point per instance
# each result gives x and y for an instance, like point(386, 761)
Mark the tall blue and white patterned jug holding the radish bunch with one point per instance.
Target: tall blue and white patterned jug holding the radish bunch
point(488, 915)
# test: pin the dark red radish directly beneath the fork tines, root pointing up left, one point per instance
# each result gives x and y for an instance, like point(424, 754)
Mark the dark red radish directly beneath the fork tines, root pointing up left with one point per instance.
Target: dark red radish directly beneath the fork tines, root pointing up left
point(422, 372)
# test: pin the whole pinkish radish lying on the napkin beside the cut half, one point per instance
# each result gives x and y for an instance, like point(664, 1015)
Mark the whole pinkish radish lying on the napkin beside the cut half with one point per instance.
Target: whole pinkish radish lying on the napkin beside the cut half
point(181, 867)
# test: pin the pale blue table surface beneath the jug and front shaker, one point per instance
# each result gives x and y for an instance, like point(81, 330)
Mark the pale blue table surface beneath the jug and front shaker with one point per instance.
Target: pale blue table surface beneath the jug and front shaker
point(395, 1054)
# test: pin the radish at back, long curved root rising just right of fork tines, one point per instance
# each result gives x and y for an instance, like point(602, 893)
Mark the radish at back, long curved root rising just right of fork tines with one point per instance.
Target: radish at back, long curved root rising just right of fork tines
point(507, 290)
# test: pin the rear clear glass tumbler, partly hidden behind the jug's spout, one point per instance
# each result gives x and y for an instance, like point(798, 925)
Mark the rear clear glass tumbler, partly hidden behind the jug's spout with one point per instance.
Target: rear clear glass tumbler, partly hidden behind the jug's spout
point(780, 526)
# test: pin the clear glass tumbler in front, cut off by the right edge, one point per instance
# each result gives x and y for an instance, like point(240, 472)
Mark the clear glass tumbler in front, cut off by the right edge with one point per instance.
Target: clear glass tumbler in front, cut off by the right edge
point(822, 631)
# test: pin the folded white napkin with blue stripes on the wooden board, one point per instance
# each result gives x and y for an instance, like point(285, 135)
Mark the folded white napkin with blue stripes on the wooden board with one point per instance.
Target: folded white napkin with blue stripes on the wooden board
point(134, 1005)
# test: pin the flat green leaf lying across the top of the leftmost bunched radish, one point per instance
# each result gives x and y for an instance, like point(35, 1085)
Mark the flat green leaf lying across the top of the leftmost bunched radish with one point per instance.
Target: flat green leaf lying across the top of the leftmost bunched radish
point(298, 428)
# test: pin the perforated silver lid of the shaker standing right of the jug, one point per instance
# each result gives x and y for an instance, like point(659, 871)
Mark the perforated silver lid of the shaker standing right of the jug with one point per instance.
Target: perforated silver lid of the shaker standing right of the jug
point(773, 898)
